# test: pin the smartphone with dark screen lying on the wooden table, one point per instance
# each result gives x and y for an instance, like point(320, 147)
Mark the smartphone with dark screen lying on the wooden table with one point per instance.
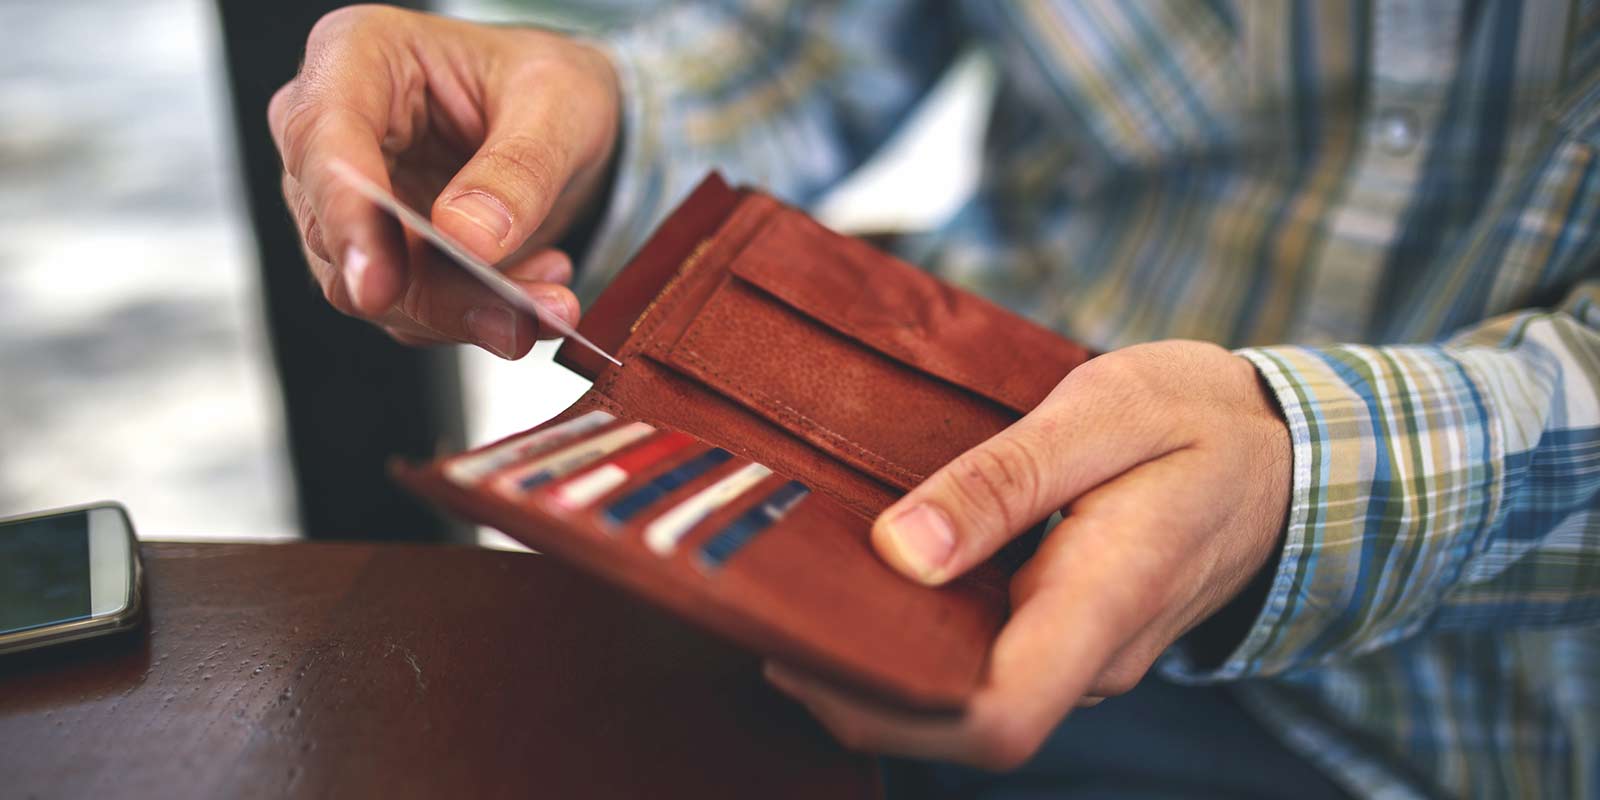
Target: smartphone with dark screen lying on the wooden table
point(68, 575)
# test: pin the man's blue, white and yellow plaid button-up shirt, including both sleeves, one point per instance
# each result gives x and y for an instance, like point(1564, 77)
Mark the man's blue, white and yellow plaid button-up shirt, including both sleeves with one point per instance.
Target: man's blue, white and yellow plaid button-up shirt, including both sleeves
point(1390, 207)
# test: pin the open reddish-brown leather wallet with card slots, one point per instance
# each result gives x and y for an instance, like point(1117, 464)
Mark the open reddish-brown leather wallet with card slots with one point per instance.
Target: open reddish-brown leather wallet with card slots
point(846, 372)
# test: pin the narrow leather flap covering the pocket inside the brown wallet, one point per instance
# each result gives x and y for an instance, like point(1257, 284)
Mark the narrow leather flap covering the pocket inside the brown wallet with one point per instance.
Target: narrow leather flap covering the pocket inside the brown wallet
point(906, 314)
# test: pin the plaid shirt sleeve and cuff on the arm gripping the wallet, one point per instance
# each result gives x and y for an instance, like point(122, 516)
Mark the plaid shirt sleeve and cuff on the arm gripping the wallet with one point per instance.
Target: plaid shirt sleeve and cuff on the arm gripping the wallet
point(1436, 487)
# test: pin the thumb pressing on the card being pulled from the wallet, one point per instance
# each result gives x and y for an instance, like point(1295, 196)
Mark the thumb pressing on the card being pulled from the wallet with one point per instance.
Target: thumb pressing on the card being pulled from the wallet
point(506, 191)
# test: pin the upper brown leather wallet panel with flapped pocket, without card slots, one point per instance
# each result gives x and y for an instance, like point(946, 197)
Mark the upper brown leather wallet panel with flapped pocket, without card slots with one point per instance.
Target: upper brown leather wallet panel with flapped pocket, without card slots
point(868, 359)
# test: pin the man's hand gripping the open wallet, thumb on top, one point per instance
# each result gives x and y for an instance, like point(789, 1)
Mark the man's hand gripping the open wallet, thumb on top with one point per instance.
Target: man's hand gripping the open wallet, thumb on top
point(1172, 465)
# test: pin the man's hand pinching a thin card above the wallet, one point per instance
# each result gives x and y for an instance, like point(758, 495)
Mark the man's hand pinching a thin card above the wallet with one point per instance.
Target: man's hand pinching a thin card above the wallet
point(505, 134)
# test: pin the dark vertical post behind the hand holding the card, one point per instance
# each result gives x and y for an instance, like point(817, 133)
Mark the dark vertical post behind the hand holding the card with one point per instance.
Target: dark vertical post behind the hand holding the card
point(351, 396)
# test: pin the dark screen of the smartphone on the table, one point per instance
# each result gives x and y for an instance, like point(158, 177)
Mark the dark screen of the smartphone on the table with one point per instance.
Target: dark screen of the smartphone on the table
point(46, 572)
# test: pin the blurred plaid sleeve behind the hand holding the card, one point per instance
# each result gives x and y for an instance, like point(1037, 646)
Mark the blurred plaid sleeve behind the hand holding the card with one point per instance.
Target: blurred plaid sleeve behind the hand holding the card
point(785, 95)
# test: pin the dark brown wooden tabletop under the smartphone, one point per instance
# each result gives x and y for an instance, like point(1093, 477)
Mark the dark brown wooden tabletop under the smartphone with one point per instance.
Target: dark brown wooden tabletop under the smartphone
point(402, 671)
